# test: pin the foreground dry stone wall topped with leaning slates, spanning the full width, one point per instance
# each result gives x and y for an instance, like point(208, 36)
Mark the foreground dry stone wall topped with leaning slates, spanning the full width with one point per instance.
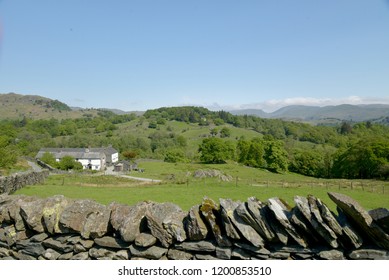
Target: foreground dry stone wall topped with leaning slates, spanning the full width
point(58, 228)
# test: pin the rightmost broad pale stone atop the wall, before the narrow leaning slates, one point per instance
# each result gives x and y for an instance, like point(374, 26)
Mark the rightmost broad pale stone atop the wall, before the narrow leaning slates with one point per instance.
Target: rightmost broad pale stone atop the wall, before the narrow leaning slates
point(165, 221)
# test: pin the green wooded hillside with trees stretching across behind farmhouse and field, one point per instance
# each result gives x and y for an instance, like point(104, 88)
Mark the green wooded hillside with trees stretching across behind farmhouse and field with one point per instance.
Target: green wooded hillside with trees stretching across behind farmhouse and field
point(349, 150)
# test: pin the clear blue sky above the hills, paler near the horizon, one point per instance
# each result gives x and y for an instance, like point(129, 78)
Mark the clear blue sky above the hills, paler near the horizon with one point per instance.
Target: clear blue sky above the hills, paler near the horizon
point(143, 54)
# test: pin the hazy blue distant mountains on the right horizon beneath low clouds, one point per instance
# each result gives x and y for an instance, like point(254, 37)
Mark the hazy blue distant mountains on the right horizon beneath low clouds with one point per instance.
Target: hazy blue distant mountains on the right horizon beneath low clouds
point(316, 114)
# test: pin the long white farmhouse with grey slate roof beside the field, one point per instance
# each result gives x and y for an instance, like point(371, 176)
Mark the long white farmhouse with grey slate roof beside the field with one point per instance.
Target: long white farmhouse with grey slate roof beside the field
point(90, 158)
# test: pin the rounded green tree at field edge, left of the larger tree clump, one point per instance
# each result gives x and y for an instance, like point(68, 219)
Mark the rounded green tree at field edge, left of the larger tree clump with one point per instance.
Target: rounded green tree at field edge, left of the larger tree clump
point(216, 150)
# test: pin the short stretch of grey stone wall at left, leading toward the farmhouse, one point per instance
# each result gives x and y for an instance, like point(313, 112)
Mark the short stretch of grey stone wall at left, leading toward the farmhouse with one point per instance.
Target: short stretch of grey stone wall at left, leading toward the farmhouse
point(10, 184)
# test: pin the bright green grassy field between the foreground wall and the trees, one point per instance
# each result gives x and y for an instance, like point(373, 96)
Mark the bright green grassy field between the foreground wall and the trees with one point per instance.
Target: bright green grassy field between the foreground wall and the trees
point(185, 190)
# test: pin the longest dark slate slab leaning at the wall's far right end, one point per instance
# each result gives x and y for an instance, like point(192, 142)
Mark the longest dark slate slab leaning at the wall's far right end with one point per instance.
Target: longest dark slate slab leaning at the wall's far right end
point(362, 219)
